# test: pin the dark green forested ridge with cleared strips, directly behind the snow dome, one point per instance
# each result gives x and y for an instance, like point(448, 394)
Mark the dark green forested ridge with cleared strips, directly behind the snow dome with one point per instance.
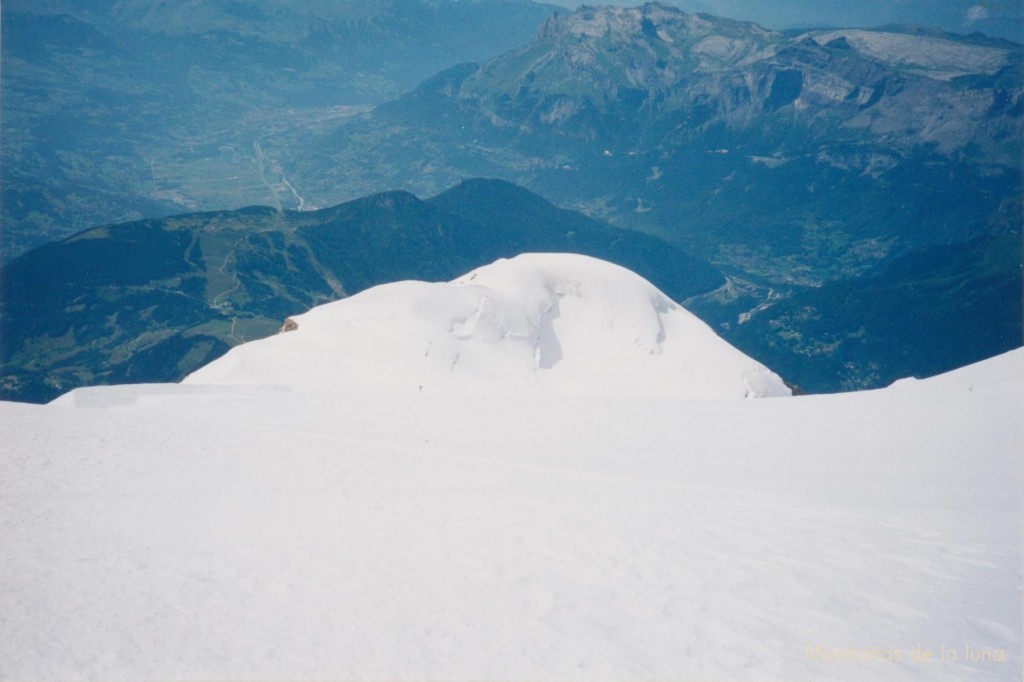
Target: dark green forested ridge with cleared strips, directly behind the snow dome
point(154, 301)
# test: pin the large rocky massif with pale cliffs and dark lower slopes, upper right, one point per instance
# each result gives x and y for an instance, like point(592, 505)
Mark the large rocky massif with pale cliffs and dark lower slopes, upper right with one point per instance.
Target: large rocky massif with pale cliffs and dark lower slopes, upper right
point(797, 159)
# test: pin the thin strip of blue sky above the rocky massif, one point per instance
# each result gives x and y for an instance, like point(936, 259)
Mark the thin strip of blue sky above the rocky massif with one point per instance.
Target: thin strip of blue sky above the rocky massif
point(996, 18)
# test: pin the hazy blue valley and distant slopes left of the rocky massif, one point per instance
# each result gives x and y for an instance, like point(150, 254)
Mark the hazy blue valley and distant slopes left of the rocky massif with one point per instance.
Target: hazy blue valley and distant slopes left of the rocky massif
point(115, 111)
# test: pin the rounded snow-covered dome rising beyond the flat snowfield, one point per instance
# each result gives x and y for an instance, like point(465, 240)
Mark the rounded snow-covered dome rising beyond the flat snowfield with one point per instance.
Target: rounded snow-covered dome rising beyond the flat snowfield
point(552, 323)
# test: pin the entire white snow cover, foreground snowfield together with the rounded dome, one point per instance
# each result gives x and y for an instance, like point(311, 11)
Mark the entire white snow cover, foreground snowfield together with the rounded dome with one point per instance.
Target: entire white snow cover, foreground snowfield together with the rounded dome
point(281, 517)
